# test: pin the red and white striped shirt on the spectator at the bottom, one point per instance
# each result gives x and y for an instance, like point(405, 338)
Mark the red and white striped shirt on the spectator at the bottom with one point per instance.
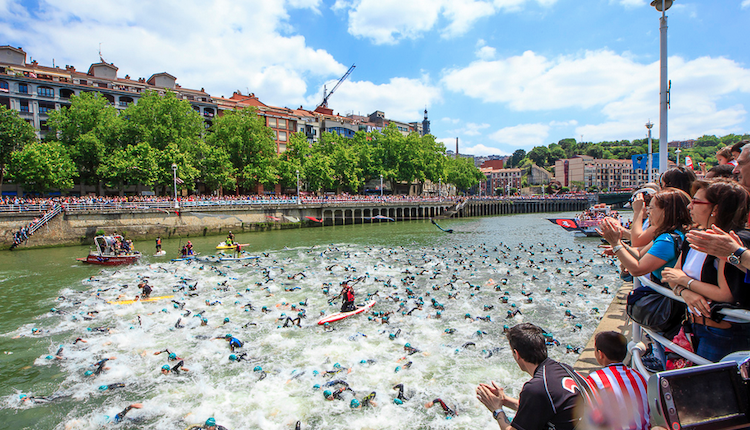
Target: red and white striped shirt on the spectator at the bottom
point(622, 397)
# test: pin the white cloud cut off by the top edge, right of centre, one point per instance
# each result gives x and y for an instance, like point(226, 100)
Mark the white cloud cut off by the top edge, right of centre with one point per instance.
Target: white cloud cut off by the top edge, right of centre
point(390, 21)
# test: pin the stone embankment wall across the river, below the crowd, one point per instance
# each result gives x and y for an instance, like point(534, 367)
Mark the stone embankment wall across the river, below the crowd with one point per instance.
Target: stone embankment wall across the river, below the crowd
point(79, 227)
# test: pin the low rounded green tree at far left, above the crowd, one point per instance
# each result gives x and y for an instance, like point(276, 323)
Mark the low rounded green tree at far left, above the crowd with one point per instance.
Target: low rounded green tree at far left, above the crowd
point(42, 166)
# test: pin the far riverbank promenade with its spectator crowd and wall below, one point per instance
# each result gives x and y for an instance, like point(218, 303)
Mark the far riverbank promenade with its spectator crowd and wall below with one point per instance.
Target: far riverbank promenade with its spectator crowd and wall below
point(77, 222)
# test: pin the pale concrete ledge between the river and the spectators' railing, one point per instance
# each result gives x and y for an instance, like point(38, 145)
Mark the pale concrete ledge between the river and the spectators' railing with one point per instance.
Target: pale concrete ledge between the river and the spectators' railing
point(614, 319)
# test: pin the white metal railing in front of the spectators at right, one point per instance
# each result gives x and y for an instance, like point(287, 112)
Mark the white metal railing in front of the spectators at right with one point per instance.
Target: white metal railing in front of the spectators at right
point(637, 346)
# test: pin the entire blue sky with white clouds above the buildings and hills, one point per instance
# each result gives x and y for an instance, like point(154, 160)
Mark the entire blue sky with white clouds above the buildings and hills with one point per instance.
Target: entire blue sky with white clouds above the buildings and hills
point(499, 75)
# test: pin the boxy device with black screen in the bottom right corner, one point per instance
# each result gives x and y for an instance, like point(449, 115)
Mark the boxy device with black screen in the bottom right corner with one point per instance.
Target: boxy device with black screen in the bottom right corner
point(709, 397)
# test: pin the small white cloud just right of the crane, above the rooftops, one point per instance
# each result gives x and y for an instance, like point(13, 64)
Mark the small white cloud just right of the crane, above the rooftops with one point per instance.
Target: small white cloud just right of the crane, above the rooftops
point(401, 99)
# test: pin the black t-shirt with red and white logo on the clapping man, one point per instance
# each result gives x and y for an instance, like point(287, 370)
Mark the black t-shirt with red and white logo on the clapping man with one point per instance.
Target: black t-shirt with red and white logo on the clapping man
point(549, 397)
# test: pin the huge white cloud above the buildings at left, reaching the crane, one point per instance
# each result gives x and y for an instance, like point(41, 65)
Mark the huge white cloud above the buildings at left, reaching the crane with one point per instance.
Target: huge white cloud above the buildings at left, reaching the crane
point(221, 46)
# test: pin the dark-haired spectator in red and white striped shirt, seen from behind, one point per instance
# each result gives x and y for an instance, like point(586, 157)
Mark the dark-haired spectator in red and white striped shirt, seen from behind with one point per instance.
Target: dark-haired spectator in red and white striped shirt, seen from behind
point(622, 392)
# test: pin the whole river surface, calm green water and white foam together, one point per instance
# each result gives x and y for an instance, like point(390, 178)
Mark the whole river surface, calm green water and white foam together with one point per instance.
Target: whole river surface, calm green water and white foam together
point(460, 279)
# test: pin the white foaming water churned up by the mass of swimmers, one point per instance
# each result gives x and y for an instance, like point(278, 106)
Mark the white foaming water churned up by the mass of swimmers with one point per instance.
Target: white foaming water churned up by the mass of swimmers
point(454, 352)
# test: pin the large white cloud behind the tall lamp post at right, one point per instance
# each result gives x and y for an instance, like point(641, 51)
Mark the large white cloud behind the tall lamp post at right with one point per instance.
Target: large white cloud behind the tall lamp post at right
point(613, 85)
